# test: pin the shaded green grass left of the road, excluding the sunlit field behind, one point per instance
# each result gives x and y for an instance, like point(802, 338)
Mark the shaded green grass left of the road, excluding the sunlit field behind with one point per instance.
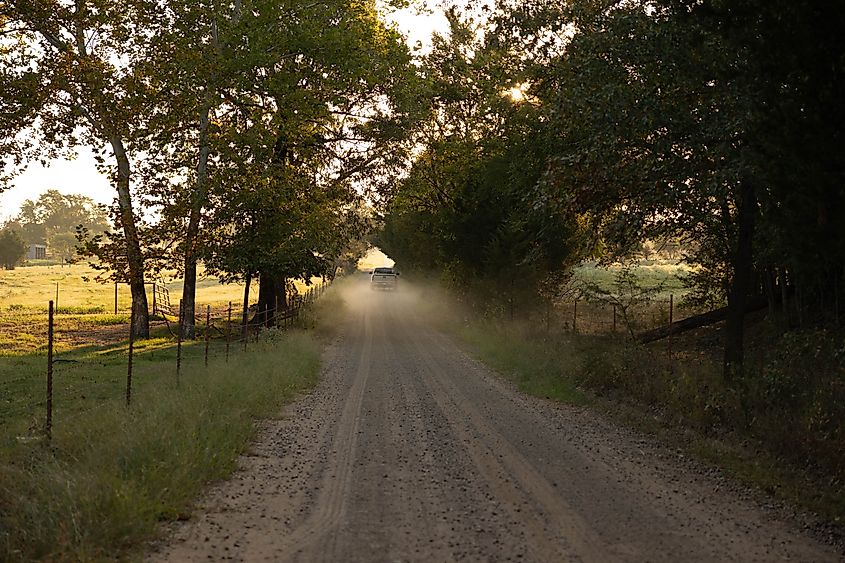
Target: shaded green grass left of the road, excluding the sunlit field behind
point(112, 474)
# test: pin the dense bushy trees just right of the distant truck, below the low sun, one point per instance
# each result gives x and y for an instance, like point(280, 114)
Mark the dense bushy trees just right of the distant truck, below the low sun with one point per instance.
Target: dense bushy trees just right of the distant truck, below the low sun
point(470, 206)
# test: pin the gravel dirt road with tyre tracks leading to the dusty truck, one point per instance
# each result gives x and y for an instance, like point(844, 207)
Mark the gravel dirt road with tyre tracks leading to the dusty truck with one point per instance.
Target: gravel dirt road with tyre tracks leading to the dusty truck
point(410, 451)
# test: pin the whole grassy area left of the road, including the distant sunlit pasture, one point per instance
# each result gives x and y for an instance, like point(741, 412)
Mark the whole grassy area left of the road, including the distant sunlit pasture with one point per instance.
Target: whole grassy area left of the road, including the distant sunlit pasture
point(110, 471)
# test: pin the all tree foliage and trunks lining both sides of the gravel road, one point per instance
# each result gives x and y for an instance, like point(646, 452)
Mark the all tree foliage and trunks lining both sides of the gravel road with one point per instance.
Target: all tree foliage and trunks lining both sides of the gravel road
point(531, 135)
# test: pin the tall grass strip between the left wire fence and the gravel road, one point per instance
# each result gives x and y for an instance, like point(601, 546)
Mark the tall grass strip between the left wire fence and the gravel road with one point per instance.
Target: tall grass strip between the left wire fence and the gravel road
point(113, 474)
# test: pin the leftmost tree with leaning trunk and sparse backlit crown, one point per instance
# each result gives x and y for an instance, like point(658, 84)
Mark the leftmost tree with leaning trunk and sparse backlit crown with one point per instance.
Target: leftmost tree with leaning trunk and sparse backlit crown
point(67, 77)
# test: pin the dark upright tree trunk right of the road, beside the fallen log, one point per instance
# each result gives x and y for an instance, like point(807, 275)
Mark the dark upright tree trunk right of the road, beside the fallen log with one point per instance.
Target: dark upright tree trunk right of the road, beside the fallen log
point(743, 273)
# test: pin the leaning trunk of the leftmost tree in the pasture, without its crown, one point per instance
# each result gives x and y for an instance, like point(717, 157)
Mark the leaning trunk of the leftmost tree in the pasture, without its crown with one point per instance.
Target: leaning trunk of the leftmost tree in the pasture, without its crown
point(134, 256)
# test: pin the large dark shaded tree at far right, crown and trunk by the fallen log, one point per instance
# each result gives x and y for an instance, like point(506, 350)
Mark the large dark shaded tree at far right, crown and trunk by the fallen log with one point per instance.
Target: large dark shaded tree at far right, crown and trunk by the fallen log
point(684, 119)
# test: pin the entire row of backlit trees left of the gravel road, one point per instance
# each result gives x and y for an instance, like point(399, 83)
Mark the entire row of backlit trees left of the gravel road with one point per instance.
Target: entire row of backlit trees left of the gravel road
point(237, 133)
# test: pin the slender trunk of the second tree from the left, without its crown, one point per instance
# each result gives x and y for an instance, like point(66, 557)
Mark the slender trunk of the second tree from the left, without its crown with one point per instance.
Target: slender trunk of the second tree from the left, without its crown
point(198, 200)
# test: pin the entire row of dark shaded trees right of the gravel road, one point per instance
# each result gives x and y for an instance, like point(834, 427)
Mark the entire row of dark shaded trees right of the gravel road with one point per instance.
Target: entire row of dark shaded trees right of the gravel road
point(557, 131)
